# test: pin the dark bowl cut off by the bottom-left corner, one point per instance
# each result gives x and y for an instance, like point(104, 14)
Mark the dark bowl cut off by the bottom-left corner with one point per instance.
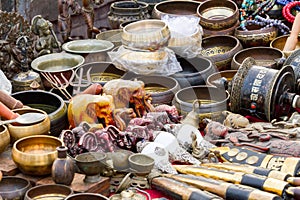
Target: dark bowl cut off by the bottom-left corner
point(13, 187)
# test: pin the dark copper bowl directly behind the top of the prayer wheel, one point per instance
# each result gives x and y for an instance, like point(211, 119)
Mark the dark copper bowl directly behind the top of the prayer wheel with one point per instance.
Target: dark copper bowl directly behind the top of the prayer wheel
point(264, 56)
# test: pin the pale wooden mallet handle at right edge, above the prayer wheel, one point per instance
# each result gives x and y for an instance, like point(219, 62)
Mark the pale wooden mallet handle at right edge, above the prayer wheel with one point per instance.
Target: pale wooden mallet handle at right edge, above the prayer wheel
point(292, 40)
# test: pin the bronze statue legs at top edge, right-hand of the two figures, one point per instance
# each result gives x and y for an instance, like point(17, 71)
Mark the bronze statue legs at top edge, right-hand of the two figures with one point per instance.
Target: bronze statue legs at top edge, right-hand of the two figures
point(89, 16)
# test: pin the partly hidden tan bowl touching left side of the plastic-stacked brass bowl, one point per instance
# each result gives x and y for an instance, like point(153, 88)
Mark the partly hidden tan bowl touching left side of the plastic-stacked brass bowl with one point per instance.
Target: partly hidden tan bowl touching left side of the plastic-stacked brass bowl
point(113, 36)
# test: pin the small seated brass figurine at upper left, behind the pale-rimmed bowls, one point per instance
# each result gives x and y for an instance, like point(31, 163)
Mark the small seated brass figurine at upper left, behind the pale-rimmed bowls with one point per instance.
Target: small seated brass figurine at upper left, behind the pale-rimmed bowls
point(47, 40)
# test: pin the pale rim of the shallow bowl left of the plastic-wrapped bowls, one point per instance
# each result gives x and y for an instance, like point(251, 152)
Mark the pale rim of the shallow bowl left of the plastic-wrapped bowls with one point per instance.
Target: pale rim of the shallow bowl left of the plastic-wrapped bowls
point(108, 46)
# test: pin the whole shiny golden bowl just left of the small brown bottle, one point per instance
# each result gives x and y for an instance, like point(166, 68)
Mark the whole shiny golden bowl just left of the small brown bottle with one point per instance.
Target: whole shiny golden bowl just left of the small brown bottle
point(34, 155)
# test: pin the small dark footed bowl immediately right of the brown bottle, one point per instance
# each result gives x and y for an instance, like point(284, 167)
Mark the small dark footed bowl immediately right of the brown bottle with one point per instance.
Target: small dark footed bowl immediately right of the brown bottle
point(92, 164)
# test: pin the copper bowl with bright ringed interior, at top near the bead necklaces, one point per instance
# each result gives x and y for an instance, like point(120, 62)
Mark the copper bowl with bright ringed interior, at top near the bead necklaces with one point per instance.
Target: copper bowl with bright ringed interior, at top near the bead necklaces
point(218, 15)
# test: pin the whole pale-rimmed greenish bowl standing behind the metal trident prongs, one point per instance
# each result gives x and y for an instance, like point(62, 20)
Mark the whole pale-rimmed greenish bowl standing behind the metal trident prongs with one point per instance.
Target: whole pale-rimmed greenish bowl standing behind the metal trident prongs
point(56, 63)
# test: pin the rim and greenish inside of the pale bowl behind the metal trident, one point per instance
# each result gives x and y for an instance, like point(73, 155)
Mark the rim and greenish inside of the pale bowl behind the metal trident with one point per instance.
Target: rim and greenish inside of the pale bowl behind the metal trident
point(57, 62)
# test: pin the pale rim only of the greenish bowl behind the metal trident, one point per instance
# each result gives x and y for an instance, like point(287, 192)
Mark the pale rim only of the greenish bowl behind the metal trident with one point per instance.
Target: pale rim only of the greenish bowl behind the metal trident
point(54, 56)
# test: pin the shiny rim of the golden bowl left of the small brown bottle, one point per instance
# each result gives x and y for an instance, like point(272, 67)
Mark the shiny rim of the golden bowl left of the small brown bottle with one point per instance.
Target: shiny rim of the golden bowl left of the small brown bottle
point(36, 136)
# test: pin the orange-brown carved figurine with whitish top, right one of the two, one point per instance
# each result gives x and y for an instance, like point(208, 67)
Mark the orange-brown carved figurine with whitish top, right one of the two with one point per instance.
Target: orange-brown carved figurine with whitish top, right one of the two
point(131, 95)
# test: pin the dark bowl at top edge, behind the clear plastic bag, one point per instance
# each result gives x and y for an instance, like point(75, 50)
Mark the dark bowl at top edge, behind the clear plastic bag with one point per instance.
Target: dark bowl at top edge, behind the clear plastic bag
point(175, 8)
